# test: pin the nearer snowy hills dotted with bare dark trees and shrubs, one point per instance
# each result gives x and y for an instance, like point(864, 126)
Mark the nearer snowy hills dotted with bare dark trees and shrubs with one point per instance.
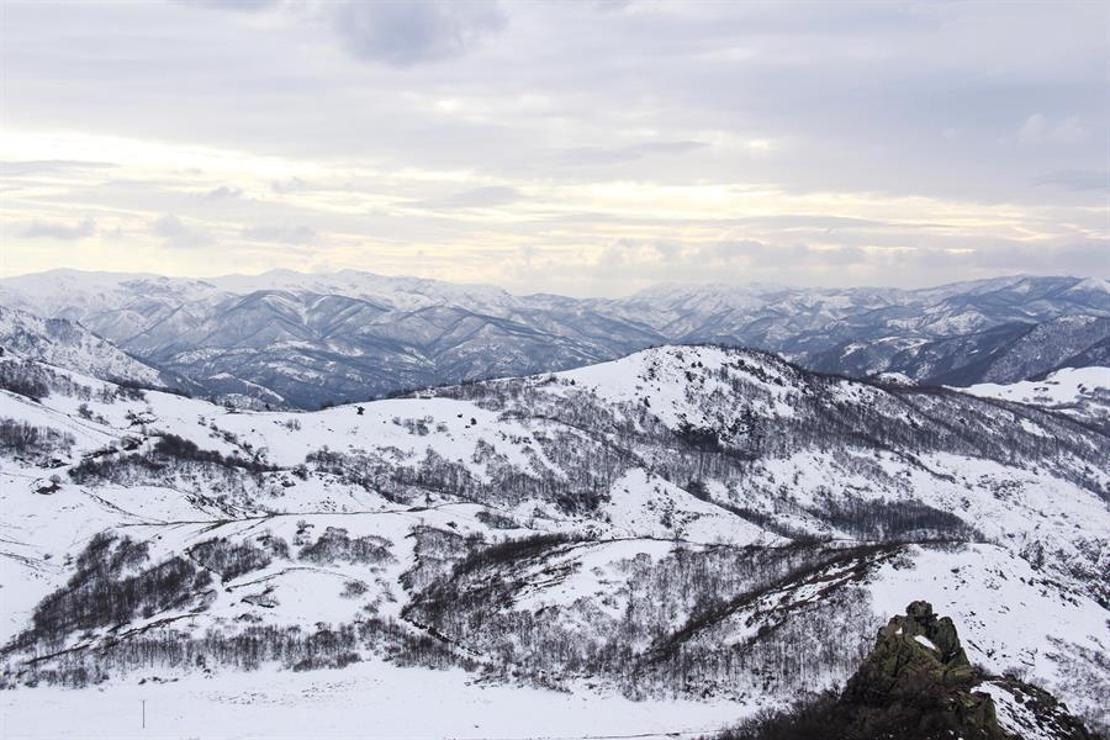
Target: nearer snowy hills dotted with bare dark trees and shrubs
point(670, 525)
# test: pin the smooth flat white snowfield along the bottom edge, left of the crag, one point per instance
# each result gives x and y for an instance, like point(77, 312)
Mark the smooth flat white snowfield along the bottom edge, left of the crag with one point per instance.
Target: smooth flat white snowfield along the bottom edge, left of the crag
point(369, 701)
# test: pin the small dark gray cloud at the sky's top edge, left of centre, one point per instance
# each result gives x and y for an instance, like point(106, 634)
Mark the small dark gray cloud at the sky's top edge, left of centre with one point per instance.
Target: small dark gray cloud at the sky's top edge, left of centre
point(406, 34)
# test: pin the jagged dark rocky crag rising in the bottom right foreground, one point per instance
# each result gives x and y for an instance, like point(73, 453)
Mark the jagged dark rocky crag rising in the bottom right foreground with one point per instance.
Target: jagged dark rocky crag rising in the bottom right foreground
point(919, 682)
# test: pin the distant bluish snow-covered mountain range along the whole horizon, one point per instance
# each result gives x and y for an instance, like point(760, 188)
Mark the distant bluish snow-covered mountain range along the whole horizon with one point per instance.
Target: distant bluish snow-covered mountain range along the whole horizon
point(307, 340)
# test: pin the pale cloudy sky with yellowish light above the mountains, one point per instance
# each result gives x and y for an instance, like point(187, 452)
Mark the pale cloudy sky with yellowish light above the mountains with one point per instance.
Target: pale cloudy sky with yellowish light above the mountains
point(584, 147)
